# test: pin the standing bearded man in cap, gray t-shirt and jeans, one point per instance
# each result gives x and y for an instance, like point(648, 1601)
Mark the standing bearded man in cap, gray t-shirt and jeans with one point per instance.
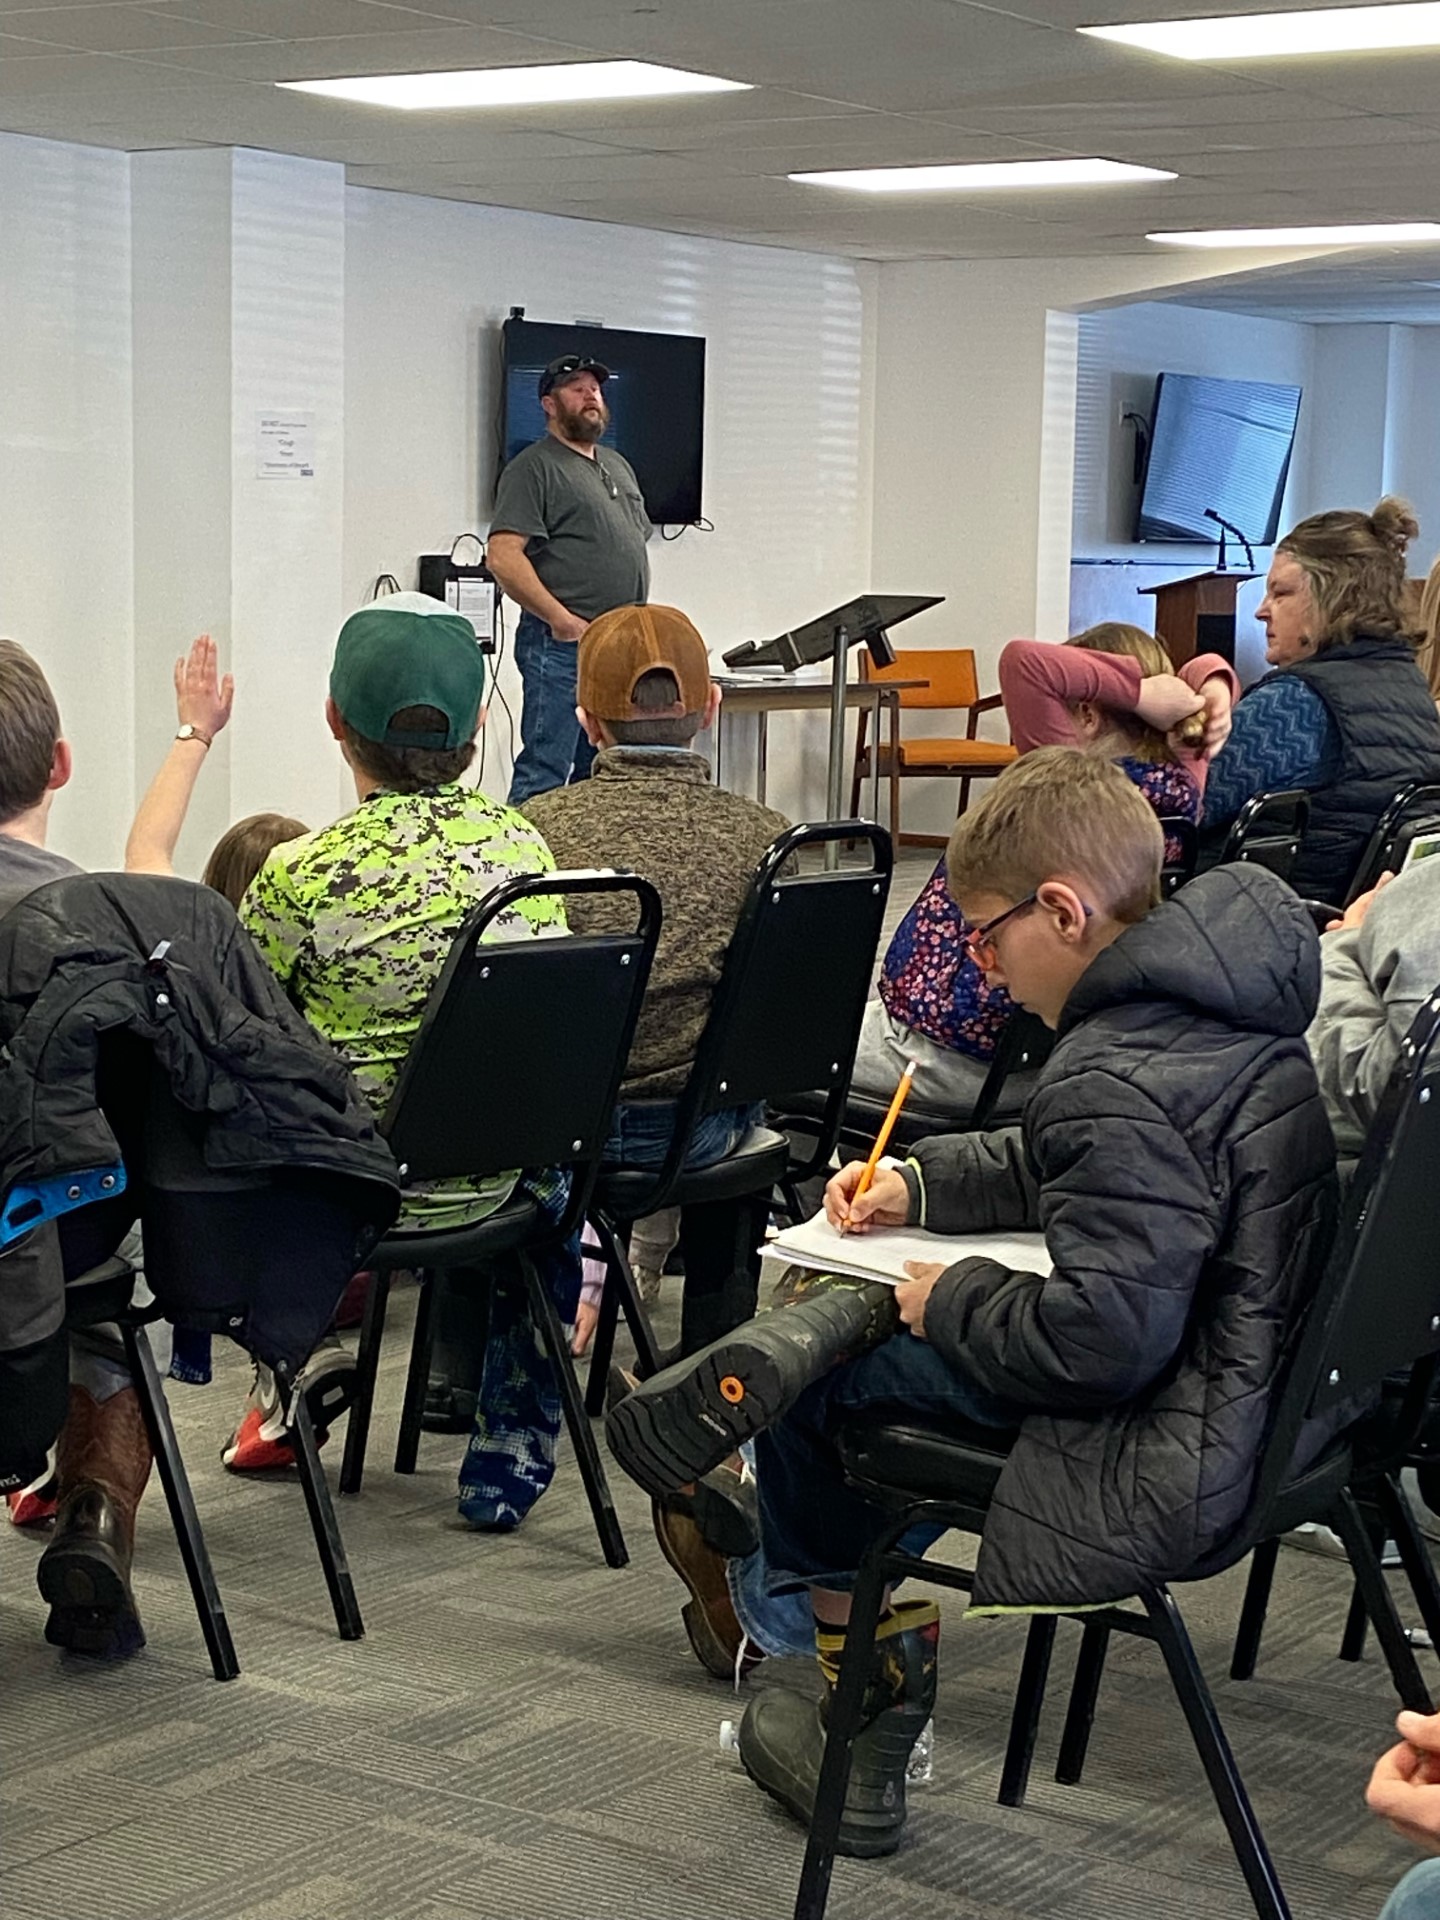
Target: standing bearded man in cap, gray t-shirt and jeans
point(567, 542)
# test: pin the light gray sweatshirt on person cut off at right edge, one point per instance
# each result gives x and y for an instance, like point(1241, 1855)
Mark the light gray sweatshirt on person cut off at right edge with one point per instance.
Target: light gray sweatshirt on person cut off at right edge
point(1374, 982)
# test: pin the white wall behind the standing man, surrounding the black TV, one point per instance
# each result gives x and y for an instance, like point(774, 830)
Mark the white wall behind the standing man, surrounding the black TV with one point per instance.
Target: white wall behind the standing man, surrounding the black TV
point(786, 437)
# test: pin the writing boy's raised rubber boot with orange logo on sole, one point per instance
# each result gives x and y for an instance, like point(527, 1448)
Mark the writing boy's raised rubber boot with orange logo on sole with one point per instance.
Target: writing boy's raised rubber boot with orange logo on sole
point(686, 1420)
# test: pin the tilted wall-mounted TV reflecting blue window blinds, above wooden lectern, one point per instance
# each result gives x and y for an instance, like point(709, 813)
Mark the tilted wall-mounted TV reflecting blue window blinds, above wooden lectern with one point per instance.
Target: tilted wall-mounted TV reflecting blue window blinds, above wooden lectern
point(1222, 444)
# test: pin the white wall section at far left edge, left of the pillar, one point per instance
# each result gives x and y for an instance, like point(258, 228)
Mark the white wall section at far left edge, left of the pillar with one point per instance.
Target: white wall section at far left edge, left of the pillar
point(66, 587)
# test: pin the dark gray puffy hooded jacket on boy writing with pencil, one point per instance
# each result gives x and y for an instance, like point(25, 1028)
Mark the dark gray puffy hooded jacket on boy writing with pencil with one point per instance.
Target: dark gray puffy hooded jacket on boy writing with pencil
point(1178, 1159)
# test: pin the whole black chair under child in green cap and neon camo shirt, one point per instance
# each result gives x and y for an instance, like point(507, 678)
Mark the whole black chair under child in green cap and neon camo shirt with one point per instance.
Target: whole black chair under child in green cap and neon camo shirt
point(517, 1063)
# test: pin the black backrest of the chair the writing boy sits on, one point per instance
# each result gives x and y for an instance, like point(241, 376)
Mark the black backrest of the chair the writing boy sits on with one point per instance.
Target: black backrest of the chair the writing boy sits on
point(1378, 1307)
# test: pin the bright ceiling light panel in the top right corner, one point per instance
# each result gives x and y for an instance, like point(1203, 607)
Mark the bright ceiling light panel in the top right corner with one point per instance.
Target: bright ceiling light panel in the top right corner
point(1333, 30)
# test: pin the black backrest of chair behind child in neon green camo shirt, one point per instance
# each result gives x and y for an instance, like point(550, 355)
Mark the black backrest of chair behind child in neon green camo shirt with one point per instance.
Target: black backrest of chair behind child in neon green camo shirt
point(519, 1055)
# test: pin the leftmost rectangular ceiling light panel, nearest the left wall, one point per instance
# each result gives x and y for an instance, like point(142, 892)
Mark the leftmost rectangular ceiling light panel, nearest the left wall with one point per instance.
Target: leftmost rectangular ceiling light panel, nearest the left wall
point(519, 87)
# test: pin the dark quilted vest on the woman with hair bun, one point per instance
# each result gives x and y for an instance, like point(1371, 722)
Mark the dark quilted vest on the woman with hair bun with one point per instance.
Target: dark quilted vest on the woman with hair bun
point(1389, 736)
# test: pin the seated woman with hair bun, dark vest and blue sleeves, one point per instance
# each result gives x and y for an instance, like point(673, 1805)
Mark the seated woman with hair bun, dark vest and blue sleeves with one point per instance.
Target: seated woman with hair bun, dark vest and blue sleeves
point(1347, 711)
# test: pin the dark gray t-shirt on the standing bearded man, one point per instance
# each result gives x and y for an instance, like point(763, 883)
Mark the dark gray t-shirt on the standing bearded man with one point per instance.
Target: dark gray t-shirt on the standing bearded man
point(585, 523)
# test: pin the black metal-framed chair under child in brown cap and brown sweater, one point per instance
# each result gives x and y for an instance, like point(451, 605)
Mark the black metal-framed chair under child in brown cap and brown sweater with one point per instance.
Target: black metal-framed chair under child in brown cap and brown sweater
point(786, 1017)
